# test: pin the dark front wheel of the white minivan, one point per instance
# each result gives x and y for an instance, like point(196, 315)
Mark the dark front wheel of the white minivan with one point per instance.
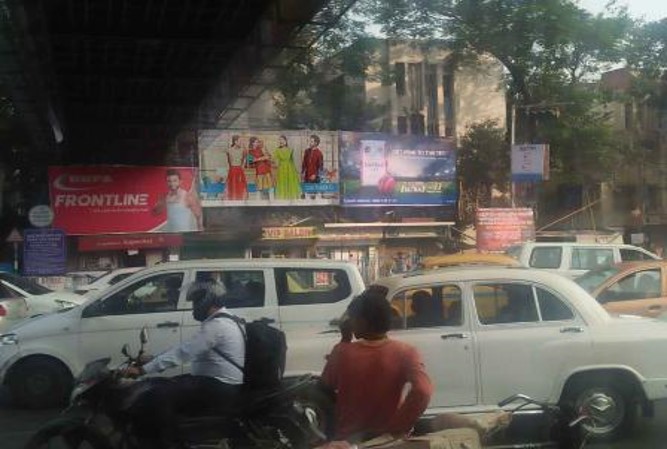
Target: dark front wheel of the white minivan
point(39, 382)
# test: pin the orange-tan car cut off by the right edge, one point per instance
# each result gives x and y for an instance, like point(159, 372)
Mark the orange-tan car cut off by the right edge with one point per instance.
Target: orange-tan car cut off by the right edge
point(637, 288)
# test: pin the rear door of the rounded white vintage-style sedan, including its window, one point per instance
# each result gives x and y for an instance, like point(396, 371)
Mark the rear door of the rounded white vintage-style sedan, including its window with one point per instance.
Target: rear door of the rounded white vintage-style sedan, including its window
point(528, 338)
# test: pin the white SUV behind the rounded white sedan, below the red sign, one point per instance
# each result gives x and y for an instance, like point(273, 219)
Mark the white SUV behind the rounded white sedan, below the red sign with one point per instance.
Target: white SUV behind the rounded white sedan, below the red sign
point(574, 259)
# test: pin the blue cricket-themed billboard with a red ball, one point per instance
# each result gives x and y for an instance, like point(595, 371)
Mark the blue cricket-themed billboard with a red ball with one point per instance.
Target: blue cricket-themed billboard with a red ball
point(379, 169)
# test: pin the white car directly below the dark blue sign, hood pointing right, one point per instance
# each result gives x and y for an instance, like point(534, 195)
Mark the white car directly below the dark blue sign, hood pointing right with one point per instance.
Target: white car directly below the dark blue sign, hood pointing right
point(39, 299)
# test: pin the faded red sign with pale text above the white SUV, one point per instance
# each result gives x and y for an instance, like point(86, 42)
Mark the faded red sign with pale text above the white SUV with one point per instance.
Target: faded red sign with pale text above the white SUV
point(500, 228)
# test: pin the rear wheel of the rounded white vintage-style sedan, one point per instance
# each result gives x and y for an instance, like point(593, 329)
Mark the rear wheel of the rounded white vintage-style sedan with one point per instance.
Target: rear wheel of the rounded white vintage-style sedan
point(610, 406)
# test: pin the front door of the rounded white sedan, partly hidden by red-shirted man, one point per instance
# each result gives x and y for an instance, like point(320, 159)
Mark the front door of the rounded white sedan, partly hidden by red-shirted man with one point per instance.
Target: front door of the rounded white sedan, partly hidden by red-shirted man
point(434, 318)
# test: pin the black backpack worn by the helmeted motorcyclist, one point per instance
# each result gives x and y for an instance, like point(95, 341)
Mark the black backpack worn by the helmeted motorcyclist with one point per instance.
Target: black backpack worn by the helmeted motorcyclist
point(265, 353)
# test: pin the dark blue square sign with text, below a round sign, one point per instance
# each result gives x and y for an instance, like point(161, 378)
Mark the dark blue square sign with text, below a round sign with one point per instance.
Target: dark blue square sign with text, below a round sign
point(44, 252)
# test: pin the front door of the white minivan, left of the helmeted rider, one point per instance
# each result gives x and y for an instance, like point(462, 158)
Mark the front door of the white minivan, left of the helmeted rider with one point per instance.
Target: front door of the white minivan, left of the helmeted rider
point(151, 303)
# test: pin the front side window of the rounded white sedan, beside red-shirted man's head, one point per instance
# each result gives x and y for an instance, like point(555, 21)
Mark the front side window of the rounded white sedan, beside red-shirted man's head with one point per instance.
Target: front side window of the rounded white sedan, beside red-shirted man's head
point(427, 307)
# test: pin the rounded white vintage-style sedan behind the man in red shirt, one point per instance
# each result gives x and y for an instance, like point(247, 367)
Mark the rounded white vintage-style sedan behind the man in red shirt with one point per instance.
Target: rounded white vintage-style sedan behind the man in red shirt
point(488, 332)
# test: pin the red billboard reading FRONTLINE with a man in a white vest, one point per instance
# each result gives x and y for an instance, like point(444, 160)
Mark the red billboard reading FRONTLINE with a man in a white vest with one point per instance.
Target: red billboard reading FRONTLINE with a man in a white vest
point(123, 199)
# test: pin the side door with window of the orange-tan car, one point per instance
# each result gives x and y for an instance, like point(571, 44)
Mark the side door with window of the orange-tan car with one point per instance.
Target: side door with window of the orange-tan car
point(640, 292)
